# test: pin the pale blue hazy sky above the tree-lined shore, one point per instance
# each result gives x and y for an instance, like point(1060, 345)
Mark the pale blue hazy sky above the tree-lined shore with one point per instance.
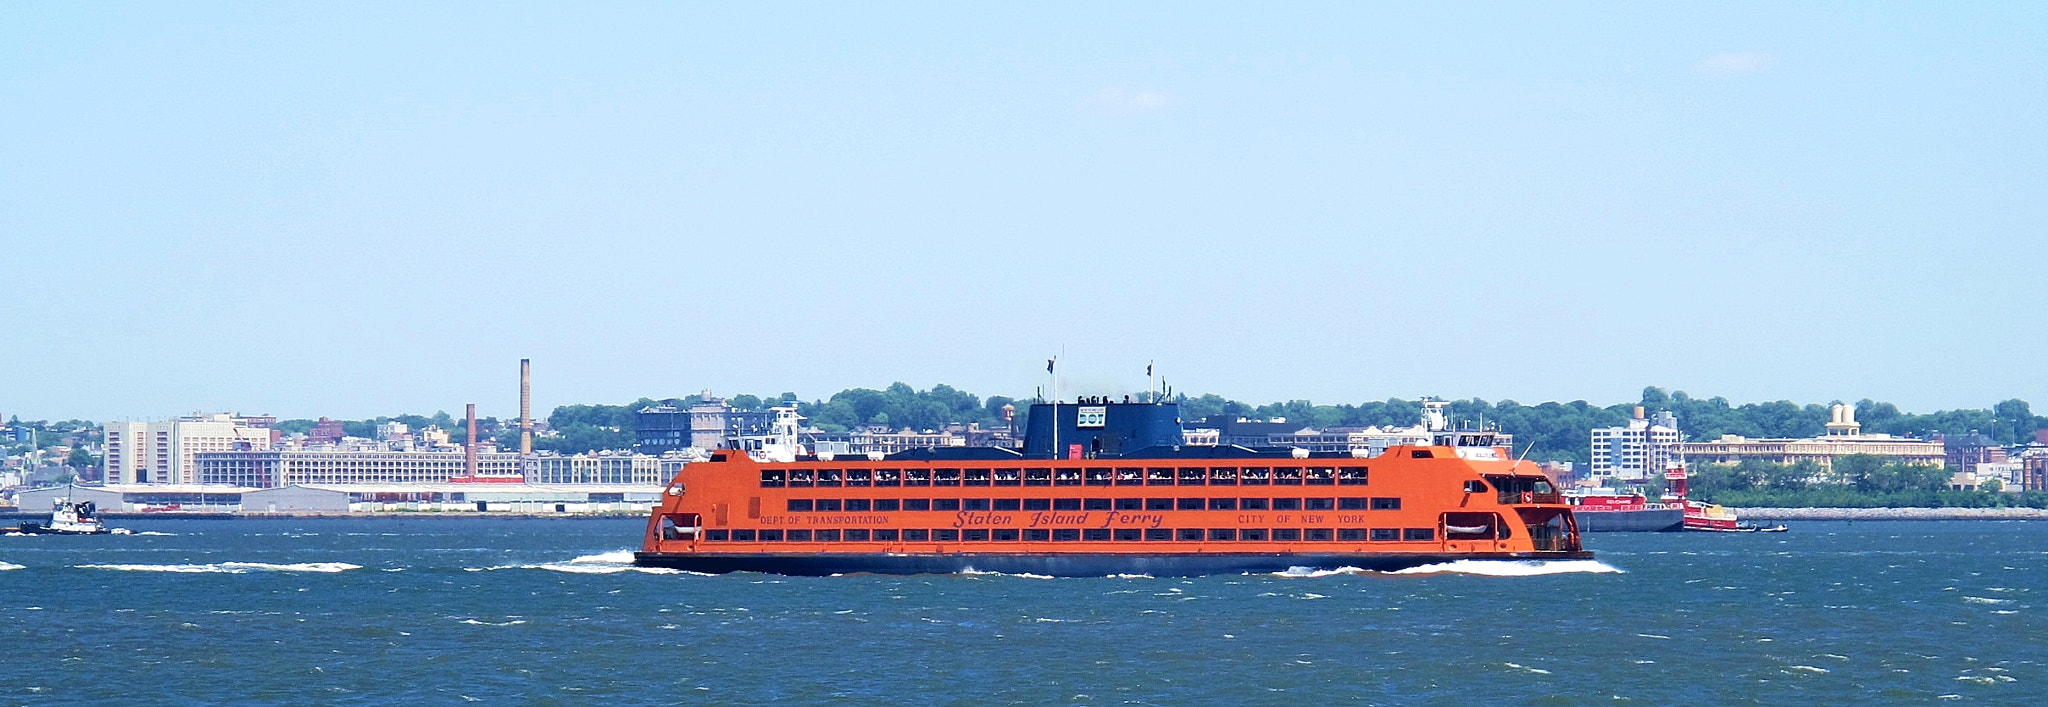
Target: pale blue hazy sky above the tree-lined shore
point(351, 210)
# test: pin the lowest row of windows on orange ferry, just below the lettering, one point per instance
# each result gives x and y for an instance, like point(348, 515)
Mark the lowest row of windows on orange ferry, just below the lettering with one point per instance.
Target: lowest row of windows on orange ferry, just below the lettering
point(1062, 536)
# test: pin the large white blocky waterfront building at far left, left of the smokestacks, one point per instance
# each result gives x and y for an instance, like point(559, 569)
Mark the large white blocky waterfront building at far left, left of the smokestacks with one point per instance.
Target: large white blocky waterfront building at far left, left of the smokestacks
point(165, 452)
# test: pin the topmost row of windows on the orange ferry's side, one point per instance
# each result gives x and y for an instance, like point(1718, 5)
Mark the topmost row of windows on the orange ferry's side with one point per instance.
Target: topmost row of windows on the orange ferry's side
point(1076, 476)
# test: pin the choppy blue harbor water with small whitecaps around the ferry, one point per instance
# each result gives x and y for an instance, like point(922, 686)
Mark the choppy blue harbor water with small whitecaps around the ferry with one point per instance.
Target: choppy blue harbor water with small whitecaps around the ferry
point(548, 612)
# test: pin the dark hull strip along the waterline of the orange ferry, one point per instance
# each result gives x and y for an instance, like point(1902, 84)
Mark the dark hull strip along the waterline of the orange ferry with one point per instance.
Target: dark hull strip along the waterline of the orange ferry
point(1076, 565)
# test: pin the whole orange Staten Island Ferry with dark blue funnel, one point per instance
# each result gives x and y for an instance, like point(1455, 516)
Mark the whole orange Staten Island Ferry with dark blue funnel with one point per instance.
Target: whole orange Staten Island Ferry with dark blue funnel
point(1107, 489)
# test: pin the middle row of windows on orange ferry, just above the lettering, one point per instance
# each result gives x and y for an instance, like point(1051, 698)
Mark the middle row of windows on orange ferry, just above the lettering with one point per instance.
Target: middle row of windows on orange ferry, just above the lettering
point(890, 505)
